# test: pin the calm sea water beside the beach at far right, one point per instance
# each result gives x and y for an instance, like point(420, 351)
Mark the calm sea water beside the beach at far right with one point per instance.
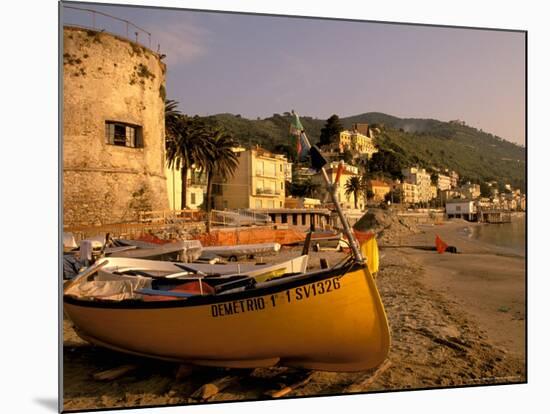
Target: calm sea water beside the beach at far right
point(508, 235)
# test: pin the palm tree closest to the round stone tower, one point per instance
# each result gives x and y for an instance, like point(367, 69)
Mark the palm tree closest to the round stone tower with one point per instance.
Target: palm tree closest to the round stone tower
point(186, 146)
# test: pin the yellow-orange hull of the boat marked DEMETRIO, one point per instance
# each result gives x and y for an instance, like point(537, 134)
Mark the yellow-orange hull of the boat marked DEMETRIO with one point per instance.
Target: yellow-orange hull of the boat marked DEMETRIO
point(328, 321)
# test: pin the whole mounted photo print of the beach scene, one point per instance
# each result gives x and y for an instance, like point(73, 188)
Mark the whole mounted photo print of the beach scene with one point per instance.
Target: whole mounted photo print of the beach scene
point(259, 207)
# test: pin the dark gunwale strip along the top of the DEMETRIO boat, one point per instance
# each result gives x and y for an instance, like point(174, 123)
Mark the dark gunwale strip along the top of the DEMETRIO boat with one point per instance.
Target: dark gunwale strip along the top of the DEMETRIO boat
point(198, 300)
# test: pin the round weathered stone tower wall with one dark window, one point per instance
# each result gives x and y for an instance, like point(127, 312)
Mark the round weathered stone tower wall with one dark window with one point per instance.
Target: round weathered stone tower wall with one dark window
point(113, 129)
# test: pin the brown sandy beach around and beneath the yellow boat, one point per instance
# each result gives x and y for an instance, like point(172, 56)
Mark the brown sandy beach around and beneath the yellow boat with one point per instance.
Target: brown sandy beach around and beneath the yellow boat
point(455, 319)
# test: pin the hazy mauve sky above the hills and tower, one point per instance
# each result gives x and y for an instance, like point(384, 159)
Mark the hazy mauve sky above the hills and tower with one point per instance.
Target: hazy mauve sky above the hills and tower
point(256, 66)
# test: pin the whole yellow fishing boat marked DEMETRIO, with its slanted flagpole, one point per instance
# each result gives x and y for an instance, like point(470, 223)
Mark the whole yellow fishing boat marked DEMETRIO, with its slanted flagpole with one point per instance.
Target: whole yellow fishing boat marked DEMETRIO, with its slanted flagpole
point(331, 319)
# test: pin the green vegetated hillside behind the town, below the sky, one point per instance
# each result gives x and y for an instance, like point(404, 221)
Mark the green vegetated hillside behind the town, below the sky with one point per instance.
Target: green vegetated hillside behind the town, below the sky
point(476, 155)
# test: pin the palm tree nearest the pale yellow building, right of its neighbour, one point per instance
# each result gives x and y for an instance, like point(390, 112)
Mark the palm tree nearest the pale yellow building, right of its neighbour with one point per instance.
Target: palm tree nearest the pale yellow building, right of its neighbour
point(221, 162)
